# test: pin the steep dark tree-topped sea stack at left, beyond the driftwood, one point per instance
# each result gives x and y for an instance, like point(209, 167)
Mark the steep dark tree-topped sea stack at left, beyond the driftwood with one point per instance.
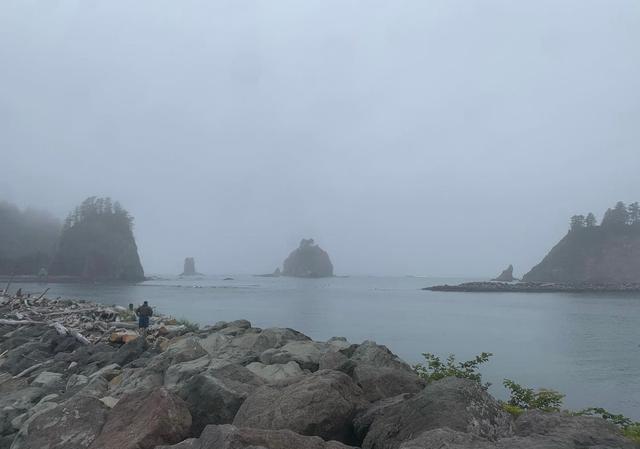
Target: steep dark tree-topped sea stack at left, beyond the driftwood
point(97, 243)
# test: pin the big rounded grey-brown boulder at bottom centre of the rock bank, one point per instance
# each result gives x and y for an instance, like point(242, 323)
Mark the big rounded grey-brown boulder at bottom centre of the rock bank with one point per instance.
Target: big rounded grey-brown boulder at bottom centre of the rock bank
point(322, 404)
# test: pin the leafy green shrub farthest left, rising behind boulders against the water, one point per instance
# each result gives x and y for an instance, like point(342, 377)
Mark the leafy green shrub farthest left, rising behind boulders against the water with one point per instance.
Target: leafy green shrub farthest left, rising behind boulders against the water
point(435, 368)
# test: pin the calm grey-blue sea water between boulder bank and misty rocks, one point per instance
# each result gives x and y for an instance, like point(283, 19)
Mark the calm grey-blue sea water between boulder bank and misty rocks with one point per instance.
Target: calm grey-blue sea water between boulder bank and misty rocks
point(585, 345)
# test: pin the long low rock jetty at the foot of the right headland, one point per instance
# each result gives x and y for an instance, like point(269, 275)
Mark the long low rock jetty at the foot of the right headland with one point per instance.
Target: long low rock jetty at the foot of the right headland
point(536, 287)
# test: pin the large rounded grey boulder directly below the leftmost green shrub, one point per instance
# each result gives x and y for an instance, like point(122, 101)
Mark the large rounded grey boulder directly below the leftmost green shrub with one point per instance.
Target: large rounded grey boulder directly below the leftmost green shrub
point(459, 404)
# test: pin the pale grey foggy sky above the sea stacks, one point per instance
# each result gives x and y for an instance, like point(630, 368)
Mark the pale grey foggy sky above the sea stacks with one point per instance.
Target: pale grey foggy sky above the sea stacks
point(407, 137)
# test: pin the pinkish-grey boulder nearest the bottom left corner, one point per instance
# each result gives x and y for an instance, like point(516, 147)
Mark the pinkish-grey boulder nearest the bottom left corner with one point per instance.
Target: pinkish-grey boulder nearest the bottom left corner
point(71, 425)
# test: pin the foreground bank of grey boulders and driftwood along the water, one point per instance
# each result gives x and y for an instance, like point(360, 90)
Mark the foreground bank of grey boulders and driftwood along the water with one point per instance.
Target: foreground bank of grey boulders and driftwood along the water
point(77, 375)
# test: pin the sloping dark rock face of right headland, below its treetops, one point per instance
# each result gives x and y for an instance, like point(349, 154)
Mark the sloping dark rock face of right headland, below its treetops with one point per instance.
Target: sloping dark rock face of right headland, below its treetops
point(599, 254)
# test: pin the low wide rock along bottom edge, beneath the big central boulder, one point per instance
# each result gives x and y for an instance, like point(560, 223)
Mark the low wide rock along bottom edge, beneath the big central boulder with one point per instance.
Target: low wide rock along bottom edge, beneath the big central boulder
point(231, 437)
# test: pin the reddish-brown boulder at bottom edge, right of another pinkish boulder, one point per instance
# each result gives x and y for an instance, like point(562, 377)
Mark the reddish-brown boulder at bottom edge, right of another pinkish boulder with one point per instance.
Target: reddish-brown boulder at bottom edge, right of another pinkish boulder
point(145, 420)
